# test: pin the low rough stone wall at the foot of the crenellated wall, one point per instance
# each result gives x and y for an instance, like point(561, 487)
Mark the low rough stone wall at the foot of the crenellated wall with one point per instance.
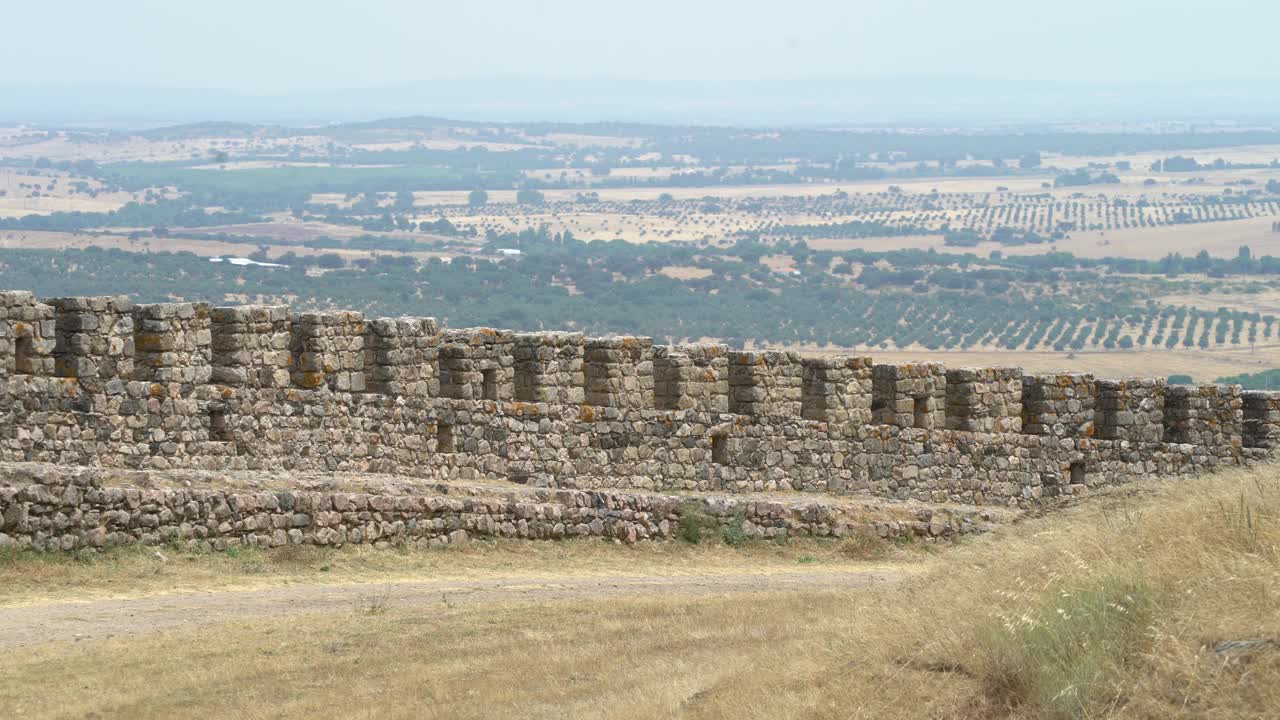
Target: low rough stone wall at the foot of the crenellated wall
point(53, 508)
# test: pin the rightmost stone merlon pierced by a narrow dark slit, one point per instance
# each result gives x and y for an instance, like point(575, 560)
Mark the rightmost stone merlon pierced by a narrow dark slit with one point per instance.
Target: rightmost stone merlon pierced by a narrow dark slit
point(909, 397)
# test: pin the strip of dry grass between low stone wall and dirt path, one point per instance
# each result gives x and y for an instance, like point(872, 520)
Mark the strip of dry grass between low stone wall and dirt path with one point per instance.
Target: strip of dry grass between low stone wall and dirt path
point(29, 578)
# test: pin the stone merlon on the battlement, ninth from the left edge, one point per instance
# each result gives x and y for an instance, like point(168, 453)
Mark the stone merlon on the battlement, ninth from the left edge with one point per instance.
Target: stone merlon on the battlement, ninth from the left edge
point(618, 372)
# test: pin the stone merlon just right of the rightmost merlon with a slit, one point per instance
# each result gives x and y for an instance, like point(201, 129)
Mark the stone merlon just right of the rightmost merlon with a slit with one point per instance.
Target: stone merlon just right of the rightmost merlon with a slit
point(985, 400)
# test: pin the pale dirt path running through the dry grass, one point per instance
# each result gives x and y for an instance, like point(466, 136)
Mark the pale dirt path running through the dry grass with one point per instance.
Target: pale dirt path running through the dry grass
point(100, 619)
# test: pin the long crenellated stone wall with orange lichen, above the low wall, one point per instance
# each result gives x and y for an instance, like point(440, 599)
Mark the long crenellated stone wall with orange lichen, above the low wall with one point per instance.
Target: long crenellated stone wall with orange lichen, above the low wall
point(106, 382)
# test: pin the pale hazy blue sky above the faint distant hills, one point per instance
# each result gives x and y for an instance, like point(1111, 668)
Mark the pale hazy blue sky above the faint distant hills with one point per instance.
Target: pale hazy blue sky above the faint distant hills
point(282, 45)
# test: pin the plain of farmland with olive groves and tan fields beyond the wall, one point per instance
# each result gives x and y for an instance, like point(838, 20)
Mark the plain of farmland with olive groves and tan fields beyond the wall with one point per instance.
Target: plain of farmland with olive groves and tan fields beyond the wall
point(1081, 249)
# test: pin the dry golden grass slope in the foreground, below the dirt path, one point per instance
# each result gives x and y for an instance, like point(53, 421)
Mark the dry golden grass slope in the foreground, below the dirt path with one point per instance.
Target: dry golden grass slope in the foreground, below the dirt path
point(1155, 604)
